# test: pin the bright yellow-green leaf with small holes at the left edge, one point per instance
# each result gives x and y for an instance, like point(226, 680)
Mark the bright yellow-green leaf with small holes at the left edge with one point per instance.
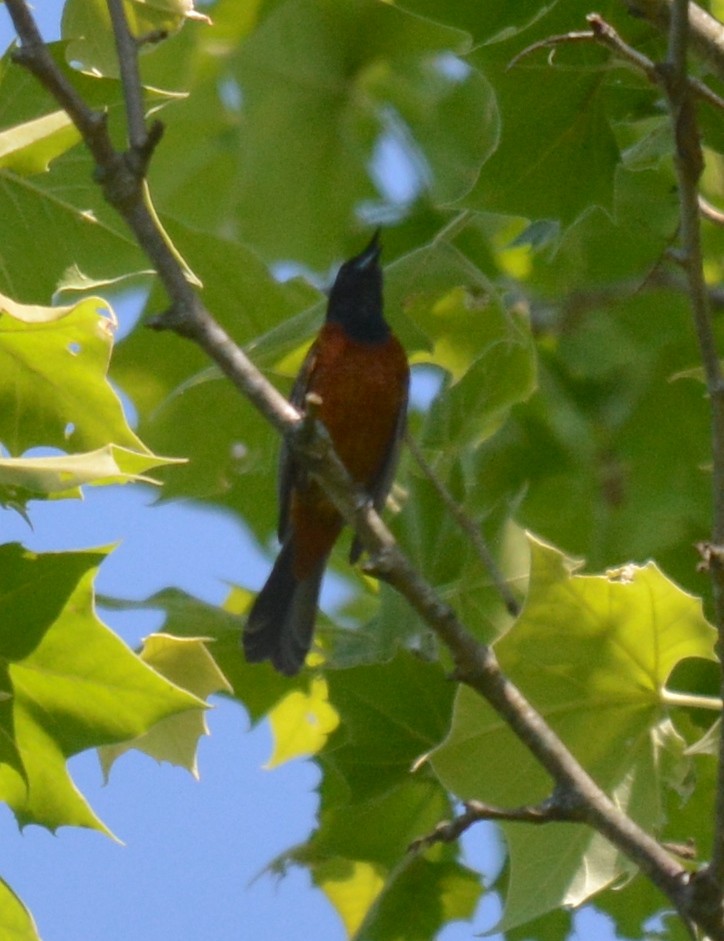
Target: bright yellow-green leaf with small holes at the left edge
point(53, 386)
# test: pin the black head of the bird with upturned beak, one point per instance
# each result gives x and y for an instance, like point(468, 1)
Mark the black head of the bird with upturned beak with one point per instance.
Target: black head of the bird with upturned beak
point(355, 301)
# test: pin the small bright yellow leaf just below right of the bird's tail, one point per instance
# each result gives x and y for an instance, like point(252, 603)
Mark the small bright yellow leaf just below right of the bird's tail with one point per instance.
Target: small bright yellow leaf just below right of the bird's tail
point(302, 722)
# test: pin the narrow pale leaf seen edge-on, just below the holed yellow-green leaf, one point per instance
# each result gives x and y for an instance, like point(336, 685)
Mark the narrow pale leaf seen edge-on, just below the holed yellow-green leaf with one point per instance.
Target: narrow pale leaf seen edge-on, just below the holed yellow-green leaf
point(26, 478)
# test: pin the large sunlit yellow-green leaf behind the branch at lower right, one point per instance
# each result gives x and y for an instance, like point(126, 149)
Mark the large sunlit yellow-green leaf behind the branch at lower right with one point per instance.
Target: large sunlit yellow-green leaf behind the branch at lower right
point(591, 653)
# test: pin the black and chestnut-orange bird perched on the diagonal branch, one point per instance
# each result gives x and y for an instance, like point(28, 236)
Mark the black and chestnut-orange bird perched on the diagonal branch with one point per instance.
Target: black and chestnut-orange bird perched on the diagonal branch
point(358, 372)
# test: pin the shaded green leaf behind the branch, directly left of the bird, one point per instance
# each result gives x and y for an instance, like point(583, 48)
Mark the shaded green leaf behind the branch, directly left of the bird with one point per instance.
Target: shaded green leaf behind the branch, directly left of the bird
point(175, 391)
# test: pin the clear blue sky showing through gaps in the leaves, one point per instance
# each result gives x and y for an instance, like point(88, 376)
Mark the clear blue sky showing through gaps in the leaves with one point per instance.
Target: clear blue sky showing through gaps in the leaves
point(191, 849)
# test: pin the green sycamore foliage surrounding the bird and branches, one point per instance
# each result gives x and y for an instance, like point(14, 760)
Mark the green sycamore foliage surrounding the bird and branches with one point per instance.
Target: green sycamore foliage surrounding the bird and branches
point(526, 274)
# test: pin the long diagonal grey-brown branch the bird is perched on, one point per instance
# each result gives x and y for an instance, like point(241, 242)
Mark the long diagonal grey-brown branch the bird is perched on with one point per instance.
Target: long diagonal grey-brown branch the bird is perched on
point(122, 178)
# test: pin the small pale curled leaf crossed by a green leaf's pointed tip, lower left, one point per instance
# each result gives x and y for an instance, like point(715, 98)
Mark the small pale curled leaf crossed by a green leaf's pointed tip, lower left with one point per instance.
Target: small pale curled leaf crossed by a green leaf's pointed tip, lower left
point(190, 666)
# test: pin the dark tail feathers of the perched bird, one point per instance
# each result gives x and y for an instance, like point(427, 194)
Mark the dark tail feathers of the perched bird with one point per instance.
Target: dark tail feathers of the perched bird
point(281, 622)
